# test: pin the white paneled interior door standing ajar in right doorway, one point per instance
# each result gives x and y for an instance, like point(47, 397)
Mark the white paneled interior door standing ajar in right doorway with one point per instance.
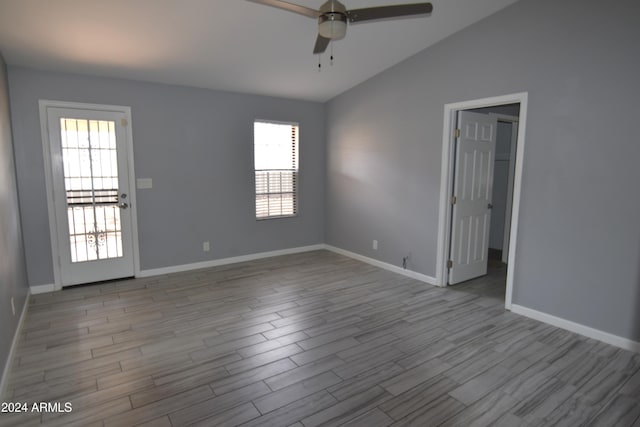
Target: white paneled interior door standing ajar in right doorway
point(473, 187)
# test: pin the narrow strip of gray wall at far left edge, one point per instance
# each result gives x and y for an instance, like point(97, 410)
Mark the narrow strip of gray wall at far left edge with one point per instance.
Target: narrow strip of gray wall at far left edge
point(13, 275)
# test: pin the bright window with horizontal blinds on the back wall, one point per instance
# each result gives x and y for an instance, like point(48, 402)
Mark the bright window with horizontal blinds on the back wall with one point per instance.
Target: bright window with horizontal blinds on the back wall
point(275, 148)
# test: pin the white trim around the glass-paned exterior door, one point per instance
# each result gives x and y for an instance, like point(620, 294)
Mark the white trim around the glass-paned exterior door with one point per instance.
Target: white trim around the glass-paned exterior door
point(46, 149)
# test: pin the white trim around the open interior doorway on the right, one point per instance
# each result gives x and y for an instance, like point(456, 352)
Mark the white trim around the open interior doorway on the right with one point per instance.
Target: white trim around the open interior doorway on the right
point(444, 223)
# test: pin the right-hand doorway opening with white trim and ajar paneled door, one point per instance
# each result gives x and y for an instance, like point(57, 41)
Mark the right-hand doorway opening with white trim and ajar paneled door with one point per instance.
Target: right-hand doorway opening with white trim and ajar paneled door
point(473, 162)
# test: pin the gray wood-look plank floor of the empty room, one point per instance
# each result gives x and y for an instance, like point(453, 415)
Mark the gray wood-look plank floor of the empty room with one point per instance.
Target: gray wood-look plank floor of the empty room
point(307, 340)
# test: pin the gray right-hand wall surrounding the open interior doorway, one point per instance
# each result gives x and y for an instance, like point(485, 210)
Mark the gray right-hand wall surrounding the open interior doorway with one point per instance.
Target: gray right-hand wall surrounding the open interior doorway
point(579, 238)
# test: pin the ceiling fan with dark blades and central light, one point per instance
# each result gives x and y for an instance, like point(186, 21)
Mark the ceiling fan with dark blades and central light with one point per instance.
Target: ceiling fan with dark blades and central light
point(333, 16)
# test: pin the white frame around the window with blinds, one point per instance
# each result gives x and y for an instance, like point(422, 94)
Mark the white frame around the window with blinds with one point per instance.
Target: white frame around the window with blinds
point(295, 151)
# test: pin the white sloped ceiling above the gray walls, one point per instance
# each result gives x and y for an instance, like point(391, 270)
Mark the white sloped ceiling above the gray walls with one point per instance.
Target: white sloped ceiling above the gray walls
point(231, 45)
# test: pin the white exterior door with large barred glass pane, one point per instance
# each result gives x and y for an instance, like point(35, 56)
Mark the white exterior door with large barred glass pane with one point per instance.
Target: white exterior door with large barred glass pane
point(91, 194)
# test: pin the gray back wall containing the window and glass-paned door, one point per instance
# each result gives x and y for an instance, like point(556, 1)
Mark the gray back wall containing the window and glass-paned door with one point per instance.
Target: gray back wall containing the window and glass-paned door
point(197, 146)
